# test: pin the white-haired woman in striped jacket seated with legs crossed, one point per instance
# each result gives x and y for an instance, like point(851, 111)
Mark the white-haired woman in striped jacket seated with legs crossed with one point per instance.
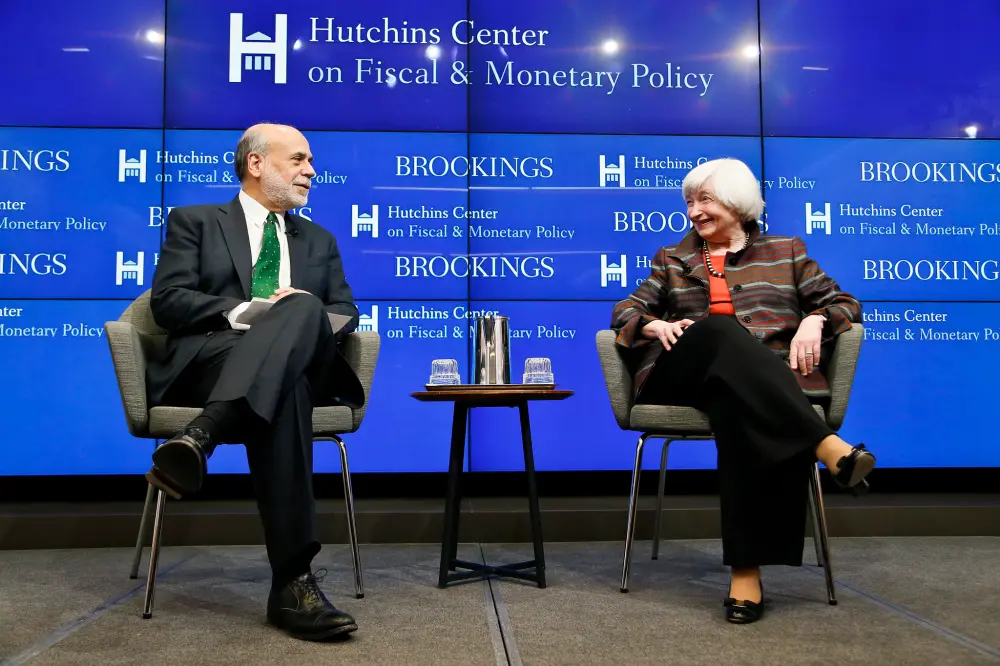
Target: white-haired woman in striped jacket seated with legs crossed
point(726, 322)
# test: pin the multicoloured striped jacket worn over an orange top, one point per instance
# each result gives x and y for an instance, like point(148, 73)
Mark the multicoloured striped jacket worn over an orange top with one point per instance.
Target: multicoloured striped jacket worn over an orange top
point(773, 285)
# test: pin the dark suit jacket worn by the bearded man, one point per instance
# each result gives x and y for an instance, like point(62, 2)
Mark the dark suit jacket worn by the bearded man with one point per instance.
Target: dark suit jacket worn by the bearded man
point(204, 270)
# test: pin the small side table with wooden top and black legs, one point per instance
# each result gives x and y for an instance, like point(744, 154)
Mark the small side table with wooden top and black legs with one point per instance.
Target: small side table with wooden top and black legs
point(465, 398)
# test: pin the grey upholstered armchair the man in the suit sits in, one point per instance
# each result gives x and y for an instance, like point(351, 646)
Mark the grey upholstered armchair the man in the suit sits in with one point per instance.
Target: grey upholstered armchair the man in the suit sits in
point(135, 338)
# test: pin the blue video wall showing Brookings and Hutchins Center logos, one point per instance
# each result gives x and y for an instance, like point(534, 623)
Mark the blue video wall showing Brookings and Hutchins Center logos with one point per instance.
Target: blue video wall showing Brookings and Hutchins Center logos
point(519, 158)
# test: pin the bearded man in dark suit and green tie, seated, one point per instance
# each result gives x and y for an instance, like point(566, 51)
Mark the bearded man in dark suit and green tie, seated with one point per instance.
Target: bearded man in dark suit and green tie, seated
point(257, 384)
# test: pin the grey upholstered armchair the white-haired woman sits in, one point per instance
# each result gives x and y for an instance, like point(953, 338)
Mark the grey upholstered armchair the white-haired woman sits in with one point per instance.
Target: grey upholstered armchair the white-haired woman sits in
point(671, 423)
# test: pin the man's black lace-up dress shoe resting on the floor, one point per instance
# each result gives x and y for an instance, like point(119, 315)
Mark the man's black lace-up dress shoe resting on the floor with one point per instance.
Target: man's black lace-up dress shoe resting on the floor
point(303, 611)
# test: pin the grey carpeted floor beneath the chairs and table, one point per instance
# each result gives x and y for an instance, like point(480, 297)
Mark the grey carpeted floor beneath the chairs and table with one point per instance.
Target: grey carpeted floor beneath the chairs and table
point(902, 601)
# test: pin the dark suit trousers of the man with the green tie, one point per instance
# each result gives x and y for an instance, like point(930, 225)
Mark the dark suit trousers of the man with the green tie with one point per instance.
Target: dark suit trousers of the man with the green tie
point(271, 373)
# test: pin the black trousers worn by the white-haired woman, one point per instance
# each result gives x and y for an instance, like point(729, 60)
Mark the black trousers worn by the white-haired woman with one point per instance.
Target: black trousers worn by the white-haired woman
point(766, 432)
